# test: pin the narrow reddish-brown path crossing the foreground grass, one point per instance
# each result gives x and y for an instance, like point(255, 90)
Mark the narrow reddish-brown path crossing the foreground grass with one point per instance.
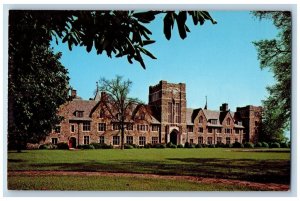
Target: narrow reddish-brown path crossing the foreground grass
point(262, 186)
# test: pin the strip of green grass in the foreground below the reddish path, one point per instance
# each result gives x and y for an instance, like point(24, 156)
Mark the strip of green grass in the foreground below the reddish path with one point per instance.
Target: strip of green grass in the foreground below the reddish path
point(109, 183)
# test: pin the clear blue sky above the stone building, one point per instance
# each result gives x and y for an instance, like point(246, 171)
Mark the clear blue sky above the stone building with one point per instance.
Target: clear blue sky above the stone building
point(218, 61)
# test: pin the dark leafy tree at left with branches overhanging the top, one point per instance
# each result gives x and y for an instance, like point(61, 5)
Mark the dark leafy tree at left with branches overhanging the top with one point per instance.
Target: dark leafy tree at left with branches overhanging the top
point(33, 68)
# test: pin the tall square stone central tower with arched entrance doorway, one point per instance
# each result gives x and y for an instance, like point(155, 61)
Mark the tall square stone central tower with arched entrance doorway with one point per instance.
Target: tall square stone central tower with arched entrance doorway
point(168, 102)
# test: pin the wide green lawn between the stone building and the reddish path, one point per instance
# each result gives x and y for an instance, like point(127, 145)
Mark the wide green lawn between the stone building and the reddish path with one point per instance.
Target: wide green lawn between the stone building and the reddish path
point(265, 165)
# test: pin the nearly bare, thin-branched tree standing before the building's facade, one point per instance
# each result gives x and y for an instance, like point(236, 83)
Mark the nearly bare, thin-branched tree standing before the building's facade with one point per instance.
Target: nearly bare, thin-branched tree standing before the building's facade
point(117, 102)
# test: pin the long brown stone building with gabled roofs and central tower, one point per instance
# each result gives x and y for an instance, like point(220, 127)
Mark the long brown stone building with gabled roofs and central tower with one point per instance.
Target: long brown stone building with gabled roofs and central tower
point(165, 119)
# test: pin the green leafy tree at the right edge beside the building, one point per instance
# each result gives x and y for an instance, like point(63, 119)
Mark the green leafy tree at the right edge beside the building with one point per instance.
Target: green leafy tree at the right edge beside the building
point(276, 54)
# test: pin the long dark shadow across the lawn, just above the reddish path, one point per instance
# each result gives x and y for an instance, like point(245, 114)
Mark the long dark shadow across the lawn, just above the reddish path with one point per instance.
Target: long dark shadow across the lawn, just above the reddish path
point(274, 171)
